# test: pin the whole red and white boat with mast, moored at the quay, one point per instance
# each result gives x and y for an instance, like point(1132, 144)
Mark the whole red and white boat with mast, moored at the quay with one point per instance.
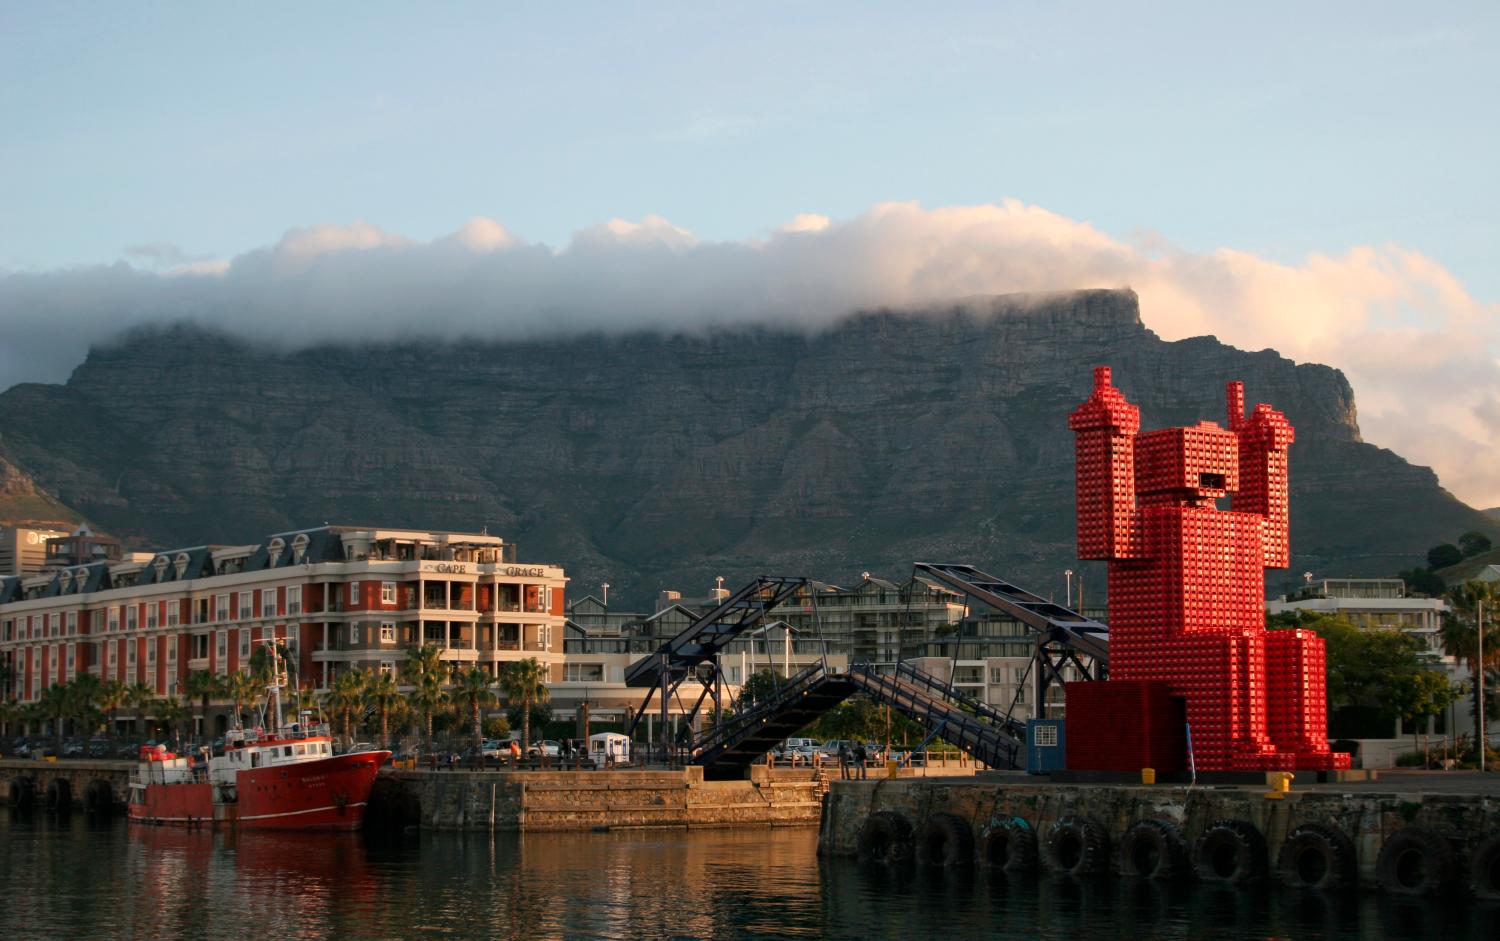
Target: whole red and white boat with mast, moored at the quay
point(277, 780)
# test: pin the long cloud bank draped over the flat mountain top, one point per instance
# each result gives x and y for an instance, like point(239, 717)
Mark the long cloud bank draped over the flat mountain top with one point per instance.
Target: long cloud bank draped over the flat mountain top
point(1420, 350)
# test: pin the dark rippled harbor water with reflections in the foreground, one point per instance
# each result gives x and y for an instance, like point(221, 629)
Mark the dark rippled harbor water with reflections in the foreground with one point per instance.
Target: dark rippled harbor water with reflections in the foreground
point(79, 877)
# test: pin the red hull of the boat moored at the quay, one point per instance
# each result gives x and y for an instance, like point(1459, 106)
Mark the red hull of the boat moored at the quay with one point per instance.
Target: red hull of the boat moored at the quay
point(323, 795)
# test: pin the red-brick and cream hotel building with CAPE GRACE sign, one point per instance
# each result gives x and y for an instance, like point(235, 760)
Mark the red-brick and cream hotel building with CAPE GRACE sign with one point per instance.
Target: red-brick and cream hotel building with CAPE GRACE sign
point(341, 598)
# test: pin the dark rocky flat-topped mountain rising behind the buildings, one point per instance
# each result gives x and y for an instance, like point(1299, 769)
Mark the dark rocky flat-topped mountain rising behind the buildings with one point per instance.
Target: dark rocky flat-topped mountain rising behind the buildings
point(661, 461)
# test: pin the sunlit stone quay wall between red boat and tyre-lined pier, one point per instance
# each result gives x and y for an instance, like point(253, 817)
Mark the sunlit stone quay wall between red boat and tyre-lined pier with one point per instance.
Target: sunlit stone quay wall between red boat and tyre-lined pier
point(593, 801)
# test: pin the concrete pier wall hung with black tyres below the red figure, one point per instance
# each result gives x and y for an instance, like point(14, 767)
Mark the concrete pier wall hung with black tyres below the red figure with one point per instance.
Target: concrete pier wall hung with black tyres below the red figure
point(1412, 835)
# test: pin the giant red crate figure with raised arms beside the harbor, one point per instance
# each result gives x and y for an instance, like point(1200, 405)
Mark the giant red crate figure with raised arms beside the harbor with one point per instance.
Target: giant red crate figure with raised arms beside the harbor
point(1187, 585)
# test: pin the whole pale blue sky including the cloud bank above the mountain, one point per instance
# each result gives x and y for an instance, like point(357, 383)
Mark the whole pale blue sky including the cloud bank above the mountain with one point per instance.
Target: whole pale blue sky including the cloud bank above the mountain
point(1318, 181)
